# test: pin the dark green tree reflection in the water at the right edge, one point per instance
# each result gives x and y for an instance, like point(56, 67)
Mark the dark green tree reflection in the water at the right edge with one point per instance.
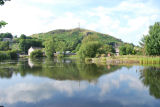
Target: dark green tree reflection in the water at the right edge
point(150, 76)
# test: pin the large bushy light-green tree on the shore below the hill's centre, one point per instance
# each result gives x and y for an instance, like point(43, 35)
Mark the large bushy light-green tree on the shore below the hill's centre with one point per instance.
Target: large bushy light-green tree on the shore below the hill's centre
point(91, 47)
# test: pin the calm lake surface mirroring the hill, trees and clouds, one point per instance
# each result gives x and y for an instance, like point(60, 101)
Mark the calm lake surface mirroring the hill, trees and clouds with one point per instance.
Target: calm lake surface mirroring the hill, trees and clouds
point(71, 83)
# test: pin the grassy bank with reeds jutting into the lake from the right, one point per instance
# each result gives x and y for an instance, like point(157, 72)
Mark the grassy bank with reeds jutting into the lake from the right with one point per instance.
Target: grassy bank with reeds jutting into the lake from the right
point(127, 59)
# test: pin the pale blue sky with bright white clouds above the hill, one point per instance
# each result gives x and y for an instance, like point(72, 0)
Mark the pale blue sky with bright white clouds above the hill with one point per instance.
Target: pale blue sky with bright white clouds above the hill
point(127, 20)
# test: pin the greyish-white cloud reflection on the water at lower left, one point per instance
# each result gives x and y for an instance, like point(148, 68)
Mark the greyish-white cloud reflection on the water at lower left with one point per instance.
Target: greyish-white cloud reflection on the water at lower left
point(32, 92)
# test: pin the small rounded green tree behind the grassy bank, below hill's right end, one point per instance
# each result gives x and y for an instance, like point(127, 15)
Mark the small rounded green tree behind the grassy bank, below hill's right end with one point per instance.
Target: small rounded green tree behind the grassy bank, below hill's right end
point(127, 49)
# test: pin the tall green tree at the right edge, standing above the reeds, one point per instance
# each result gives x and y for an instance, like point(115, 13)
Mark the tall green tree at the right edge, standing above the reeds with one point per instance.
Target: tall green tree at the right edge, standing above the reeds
point(152, 40)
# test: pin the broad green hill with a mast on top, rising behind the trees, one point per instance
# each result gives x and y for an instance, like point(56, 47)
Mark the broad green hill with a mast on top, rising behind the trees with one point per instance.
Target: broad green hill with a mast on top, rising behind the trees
point(74, 37)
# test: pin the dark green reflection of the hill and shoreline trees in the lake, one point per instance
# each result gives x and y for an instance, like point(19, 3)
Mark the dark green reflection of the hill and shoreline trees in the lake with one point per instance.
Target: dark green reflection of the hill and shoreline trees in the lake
point(62, 69)
